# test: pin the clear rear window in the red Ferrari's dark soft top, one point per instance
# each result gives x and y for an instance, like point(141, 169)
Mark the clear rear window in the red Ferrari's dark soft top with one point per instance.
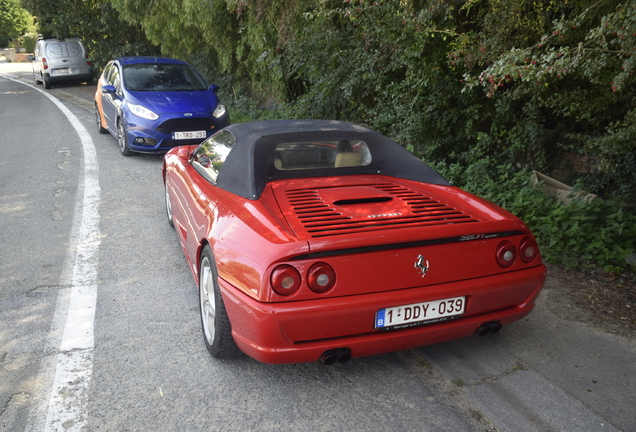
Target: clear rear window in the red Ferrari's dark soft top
point(304, 155)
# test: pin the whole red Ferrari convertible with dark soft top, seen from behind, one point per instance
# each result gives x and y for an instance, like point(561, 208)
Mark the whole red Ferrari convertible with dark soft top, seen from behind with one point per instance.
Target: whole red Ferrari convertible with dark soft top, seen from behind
point(314, 239)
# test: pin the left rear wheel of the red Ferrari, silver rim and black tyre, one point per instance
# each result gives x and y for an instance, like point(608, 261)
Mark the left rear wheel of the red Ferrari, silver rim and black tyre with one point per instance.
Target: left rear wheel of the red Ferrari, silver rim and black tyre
point(217, 330)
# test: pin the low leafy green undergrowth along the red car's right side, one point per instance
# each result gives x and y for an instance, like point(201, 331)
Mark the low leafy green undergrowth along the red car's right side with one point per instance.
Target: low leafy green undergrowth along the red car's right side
point(600, 234)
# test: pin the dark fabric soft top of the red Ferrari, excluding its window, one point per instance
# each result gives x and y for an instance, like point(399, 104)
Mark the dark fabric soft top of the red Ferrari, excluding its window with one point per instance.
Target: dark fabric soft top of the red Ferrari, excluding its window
point(250, 164)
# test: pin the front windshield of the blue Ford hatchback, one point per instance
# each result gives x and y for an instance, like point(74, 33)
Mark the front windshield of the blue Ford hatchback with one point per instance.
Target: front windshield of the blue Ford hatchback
point(162, 77)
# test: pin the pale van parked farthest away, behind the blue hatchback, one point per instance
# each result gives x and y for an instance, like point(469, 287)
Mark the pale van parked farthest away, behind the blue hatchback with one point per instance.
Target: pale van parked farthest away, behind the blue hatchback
point(56, 60)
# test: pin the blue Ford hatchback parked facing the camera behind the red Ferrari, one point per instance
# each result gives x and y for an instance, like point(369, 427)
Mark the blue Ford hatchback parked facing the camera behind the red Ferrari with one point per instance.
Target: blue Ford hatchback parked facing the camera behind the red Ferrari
point(152, 104)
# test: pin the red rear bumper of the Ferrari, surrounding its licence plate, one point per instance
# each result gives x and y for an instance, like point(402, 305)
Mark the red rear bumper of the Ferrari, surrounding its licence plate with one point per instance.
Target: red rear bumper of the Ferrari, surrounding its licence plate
point(295, 332)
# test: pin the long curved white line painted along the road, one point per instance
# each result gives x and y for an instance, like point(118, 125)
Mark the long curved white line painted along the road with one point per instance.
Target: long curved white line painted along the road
point(67, 410)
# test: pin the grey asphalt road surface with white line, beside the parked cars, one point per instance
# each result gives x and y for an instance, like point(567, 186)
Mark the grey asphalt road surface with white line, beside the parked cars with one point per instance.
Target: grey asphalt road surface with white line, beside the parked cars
point(80, 224)
